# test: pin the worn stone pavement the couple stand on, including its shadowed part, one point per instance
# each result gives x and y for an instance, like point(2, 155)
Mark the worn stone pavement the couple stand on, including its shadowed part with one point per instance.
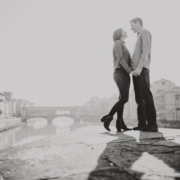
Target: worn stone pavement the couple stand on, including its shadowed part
point(94, 154)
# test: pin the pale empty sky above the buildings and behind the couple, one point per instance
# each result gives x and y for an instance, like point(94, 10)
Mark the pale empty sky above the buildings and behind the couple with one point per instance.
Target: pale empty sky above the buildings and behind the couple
point(59, 52)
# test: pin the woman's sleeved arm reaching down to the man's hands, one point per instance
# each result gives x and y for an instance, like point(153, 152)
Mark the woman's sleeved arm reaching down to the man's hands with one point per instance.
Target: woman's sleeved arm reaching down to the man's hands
point(119, 54)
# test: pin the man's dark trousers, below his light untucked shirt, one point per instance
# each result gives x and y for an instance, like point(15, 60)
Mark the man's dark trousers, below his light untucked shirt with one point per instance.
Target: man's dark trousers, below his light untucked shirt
point(144, 99)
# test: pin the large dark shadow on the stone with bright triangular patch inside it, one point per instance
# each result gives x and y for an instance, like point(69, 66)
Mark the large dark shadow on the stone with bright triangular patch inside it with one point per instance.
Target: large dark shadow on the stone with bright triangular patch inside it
point(147, 156)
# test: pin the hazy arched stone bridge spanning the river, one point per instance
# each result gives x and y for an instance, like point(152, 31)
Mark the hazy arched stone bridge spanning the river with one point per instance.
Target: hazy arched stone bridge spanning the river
point(50, 113)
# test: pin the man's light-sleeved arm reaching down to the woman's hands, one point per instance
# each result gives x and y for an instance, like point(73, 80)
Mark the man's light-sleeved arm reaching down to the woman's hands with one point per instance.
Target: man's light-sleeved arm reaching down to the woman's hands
point(146, 47)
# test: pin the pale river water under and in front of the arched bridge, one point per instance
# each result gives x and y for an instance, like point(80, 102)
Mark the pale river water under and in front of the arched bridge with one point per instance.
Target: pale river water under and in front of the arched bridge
point(35, 129)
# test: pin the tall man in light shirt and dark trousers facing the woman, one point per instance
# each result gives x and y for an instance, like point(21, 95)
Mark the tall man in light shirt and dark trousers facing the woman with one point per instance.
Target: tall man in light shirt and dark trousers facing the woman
point(141, 59)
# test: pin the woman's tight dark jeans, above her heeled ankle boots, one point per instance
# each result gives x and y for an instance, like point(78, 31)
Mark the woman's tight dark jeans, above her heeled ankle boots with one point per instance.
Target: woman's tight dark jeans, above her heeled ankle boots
point(122, 80)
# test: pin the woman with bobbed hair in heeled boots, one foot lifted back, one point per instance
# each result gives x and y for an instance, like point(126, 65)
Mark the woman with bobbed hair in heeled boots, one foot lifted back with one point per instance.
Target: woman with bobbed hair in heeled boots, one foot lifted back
point(122, 69)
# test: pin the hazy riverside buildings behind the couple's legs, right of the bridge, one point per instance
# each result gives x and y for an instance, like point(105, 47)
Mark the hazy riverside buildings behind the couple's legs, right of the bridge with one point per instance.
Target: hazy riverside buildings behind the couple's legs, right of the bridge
point(166, 99)
